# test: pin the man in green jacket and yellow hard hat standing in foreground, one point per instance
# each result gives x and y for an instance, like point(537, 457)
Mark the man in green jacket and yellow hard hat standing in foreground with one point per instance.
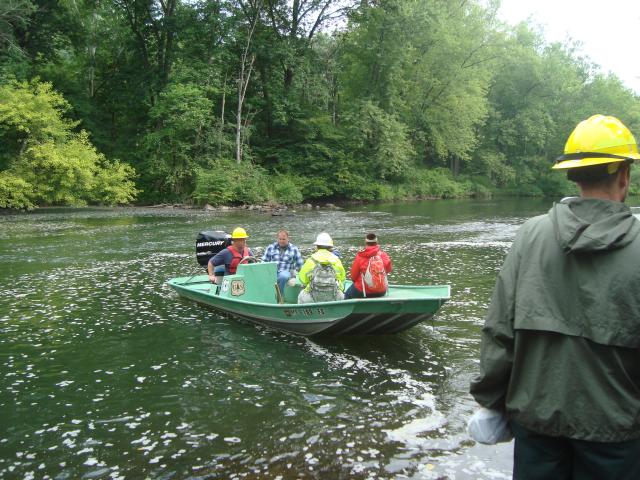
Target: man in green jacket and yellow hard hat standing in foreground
point(560, 352)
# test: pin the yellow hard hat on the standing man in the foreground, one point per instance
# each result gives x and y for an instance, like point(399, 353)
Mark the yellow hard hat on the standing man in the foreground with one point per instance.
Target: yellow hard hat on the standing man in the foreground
point(597, 140)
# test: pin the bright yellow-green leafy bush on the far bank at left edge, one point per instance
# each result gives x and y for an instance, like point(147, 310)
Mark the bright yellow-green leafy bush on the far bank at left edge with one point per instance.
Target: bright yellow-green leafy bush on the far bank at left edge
point(45, 161)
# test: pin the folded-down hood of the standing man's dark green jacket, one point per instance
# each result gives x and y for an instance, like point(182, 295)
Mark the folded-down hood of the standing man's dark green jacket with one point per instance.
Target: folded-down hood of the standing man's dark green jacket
point(591, 225)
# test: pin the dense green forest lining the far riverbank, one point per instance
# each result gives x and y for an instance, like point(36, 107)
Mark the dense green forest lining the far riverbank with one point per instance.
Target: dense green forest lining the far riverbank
point(249, 101)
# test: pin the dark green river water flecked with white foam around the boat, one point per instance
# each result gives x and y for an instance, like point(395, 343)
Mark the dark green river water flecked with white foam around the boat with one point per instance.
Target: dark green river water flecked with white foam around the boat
point(106, 373)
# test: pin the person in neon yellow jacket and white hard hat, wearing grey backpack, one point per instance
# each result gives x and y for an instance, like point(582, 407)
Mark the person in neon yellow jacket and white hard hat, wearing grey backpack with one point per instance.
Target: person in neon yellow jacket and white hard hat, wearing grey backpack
point(322, 275)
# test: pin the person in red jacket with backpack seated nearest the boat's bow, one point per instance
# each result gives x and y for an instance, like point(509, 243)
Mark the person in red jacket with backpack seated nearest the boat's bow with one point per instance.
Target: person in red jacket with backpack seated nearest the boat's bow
point(369, 271)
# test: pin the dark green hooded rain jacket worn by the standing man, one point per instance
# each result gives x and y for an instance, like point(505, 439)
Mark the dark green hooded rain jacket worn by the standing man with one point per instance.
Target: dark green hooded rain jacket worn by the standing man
point(561, 343)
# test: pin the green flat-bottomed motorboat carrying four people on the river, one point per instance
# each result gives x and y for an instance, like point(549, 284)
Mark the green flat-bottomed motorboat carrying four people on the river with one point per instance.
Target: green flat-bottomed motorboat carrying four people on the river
point(252, 293)
